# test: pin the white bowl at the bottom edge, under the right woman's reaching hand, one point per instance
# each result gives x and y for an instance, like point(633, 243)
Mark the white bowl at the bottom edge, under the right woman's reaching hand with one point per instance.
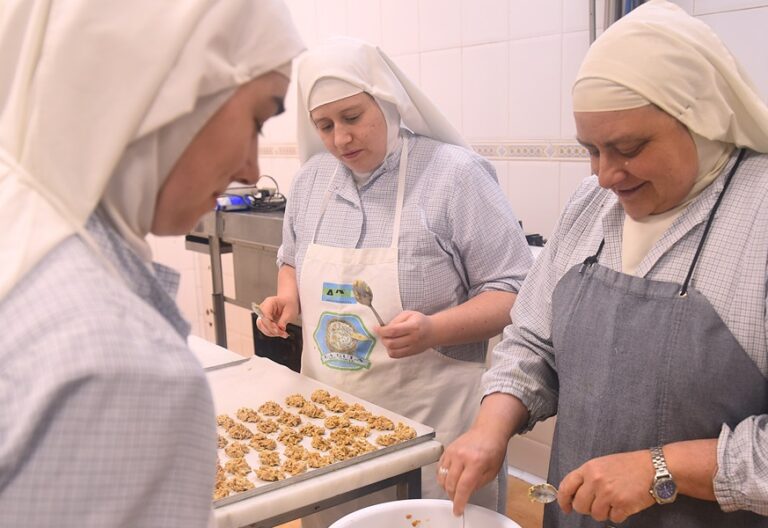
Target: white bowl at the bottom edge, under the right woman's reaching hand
point(423, 513)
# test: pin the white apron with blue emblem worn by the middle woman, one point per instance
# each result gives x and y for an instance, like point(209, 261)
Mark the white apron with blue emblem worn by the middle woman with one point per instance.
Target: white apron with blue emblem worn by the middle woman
point(341, 350)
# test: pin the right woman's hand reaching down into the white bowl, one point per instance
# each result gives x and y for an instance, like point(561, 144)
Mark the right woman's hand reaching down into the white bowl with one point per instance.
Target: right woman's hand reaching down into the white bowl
point(471, 461)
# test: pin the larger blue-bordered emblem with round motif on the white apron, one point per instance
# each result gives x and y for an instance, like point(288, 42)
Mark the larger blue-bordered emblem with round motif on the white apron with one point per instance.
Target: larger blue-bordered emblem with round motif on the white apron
point(344, 341)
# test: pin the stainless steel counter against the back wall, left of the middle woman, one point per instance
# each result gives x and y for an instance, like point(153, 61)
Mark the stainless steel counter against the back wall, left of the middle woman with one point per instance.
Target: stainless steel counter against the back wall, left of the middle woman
point(253, 238)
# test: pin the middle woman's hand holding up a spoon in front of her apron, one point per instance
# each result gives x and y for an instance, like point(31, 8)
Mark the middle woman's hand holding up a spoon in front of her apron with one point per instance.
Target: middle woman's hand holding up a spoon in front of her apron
point(408, 334)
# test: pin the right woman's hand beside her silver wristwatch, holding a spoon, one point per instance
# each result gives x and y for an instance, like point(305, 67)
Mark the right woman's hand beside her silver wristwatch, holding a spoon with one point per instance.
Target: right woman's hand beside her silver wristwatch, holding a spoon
point(611, 487)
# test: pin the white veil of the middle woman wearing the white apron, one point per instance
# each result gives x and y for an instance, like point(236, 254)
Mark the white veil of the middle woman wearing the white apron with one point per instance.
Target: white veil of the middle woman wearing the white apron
point(367, 69)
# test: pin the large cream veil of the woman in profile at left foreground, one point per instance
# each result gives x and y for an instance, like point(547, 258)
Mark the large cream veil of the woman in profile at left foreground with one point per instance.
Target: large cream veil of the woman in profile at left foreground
point(98, 99)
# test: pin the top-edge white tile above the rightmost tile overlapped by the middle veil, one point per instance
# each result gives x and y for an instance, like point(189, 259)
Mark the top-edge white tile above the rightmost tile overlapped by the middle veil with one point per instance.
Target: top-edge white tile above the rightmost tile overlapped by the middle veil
point(439, 24)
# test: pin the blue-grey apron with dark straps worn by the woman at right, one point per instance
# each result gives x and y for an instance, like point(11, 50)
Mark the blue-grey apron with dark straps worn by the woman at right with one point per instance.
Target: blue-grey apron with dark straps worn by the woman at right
point(644, 363)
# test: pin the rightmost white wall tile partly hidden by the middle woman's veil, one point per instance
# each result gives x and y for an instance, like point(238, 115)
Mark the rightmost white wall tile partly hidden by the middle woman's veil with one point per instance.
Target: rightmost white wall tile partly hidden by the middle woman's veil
point(441, 81)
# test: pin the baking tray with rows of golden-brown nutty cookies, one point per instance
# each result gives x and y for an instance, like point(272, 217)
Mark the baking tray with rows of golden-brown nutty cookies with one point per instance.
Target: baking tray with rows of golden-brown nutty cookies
point(277, 428)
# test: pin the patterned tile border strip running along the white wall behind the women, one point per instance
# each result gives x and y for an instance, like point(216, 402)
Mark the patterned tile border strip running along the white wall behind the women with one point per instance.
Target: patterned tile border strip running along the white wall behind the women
point(503, 151)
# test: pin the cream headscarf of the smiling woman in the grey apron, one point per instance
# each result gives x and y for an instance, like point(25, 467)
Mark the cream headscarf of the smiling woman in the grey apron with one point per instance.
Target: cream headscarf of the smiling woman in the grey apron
point(659, 53)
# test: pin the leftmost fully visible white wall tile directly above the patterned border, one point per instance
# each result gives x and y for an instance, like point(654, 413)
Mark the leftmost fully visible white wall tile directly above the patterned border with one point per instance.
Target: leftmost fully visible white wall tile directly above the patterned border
point(485, 92)
